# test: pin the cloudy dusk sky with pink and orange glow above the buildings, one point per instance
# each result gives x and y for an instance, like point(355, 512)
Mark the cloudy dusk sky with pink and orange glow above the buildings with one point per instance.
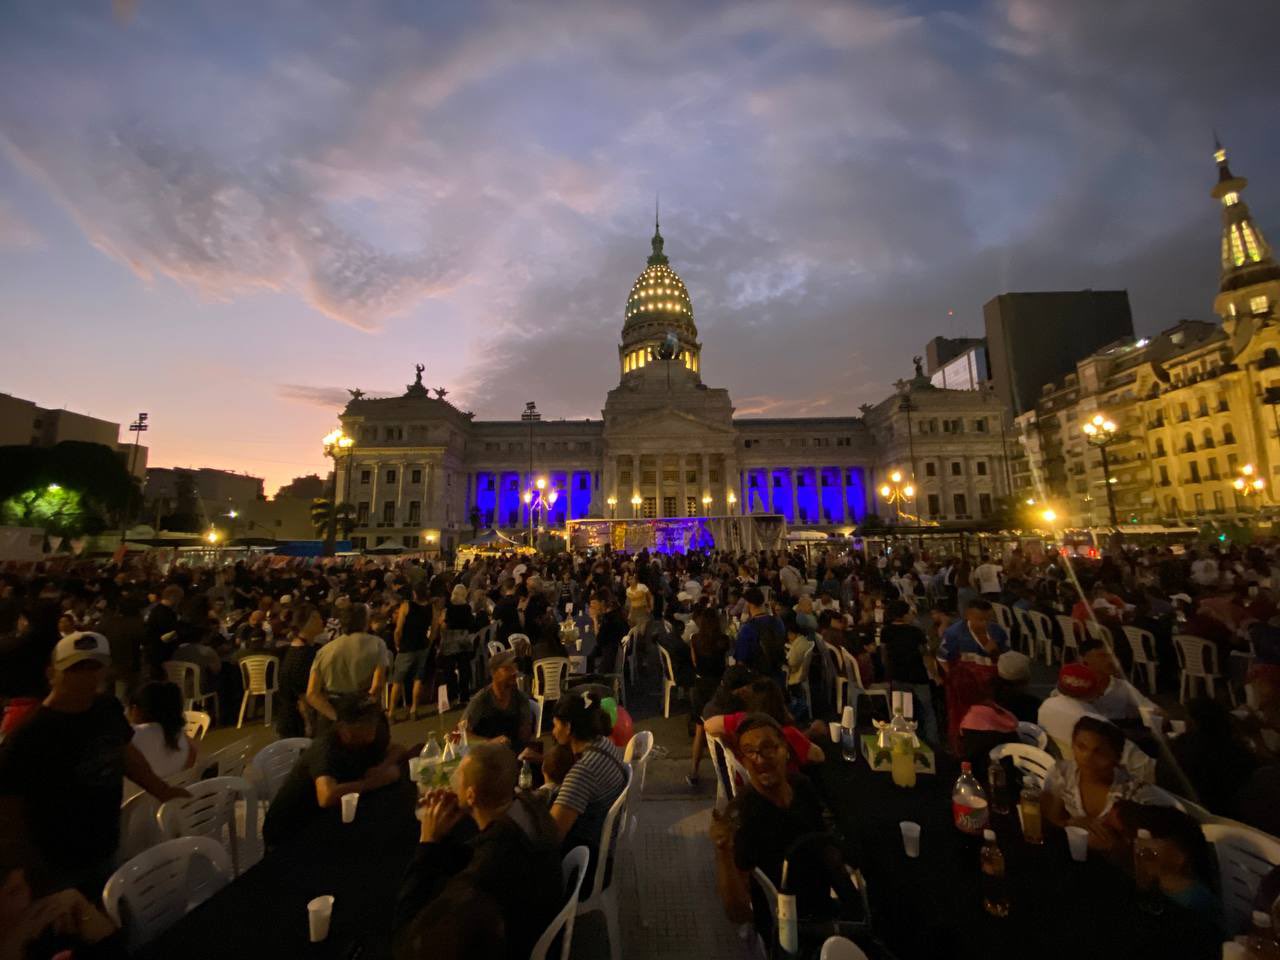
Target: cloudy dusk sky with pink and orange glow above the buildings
point(227, 214)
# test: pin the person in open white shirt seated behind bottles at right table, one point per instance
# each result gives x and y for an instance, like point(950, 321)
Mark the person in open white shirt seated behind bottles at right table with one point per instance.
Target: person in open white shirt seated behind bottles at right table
point(1084, 789)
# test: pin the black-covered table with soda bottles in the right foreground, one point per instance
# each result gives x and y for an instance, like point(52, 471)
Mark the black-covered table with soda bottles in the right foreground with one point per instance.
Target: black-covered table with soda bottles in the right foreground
point(931, 907)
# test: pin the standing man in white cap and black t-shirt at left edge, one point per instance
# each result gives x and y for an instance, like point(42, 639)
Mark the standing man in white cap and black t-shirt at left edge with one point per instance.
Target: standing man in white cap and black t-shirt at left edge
point(62, 774)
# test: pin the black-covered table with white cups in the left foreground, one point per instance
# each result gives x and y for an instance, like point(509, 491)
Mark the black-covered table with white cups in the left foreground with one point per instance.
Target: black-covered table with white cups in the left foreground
point(264, 912)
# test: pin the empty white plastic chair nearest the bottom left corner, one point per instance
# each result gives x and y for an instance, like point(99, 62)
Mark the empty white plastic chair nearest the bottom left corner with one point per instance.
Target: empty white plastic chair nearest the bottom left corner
point(158, 888)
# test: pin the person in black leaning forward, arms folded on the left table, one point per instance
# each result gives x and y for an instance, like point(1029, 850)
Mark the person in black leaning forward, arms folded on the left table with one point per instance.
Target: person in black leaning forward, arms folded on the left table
point(354, 756)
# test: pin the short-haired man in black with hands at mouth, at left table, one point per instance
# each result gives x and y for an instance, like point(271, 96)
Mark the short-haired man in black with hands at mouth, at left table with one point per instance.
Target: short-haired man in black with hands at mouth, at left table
point(491, 895)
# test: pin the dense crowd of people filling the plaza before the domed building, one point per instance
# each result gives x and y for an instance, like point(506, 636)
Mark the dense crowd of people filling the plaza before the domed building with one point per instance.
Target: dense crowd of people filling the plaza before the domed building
point(758, 641)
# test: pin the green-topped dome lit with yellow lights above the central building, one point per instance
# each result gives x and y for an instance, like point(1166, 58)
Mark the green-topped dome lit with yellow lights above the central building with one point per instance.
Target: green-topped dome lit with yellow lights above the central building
point(657, 307)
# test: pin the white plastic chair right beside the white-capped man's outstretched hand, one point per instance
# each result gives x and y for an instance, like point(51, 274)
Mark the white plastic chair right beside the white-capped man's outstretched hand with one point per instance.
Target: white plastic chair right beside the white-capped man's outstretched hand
point(222, 810)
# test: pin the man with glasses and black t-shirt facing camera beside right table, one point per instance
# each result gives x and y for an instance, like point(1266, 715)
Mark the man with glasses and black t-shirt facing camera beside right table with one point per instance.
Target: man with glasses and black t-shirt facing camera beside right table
point(762, 826)
